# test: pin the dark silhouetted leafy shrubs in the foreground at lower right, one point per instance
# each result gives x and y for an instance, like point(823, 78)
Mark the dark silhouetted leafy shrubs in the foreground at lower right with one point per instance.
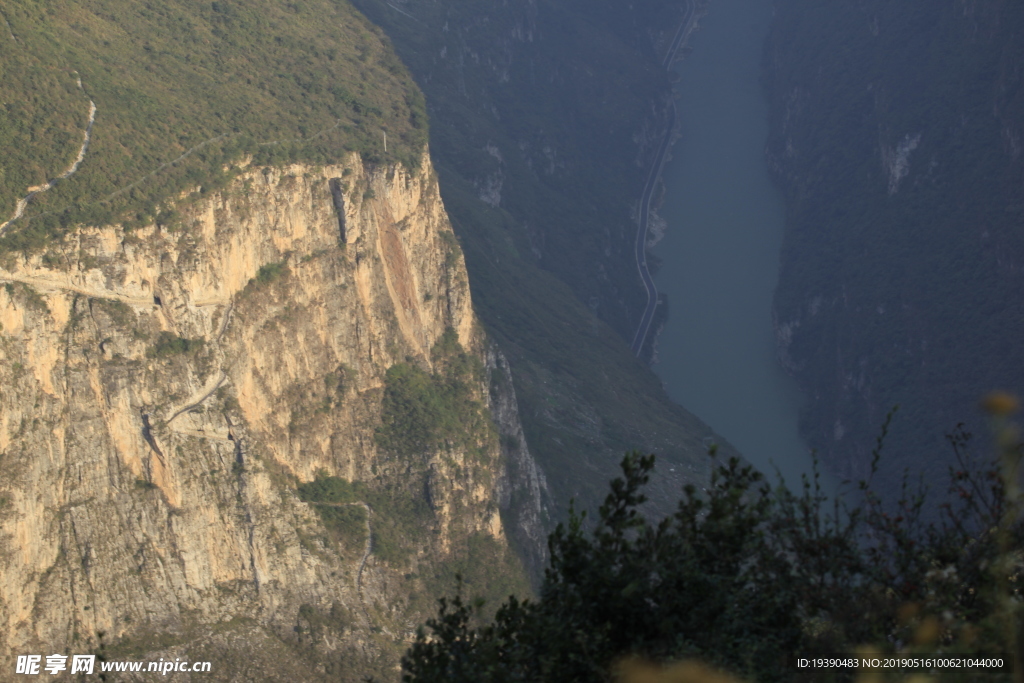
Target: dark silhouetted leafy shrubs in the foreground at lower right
point(747, 577)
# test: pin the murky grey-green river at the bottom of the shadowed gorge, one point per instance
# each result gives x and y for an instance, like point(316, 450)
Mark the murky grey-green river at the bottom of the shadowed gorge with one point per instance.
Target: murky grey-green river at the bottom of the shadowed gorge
point(720, 252)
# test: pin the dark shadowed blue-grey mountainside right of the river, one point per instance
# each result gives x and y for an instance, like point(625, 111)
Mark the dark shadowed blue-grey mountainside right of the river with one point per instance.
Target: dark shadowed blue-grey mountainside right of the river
point(897, 135)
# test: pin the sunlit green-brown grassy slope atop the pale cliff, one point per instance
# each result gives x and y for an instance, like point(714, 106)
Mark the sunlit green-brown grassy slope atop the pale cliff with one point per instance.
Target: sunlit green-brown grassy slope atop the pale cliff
point(182, 92)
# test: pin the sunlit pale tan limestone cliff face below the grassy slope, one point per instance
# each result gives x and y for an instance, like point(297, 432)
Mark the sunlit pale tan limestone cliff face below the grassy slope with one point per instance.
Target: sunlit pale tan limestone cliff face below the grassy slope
point(166, 391)
